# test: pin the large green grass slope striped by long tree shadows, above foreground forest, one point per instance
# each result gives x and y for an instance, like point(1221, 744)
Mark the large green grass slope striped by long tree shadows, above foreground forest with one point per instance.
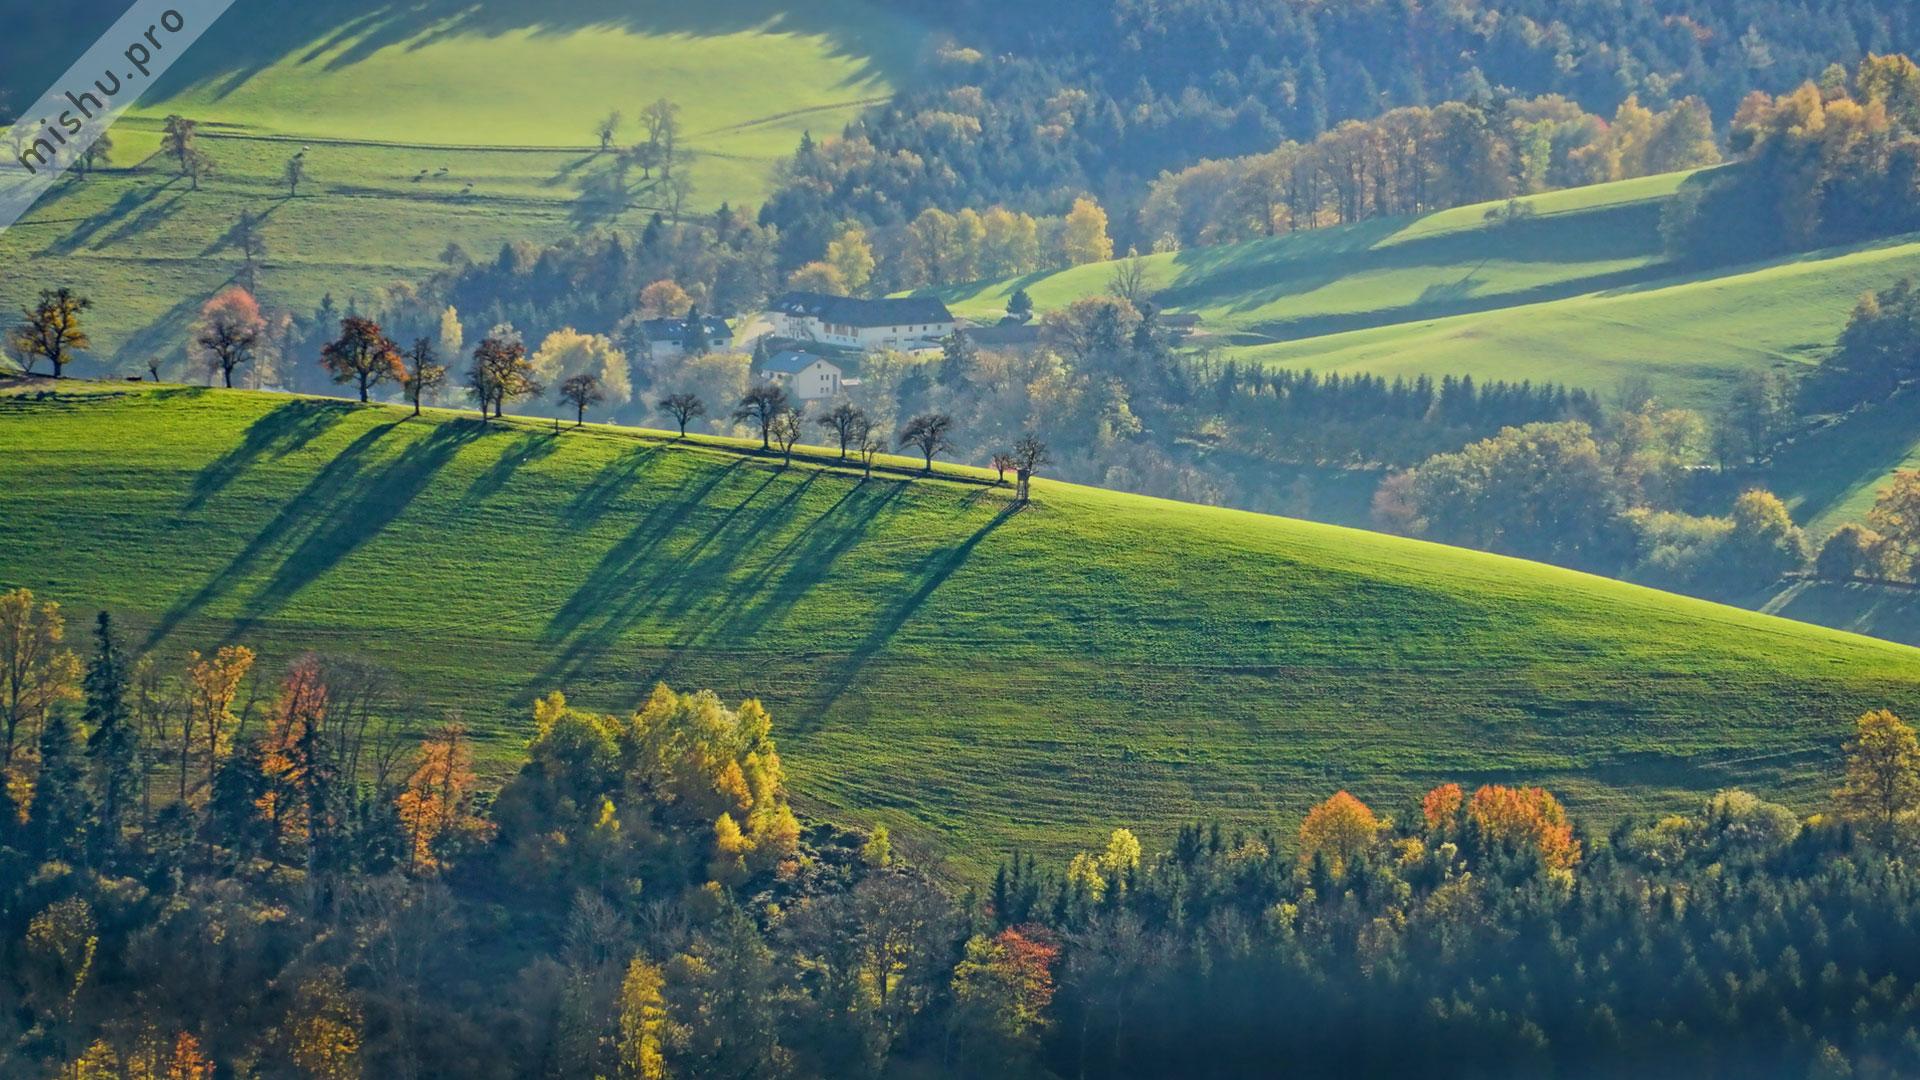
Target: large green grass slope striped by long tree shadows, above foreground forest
point(972, 675)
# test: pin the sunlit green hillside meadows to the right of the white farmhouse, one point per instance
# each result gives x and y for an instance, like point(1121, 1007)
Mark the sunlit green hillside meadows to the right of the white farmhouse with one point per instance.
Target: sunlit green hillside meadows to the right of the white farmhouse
point(1577, 293)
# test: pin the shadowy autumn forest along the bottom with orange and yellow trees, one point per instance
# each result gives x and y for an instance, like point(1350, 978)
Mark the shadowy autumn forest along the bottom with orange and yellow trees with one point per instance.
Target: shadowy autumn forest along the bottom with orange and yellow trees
point(216, 871)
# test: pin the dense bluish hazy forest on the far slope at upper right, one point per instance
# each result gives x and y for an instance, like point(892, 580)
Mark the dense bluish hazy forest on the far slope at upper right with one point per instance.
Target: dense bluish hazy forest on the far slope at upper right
point(1105, 97)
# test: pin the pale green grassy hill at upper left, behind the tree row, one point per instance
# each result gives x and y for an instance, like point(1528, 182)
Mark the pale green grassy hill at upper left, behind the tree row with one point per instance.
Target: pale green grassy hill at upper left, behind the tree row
point(429, 124)
